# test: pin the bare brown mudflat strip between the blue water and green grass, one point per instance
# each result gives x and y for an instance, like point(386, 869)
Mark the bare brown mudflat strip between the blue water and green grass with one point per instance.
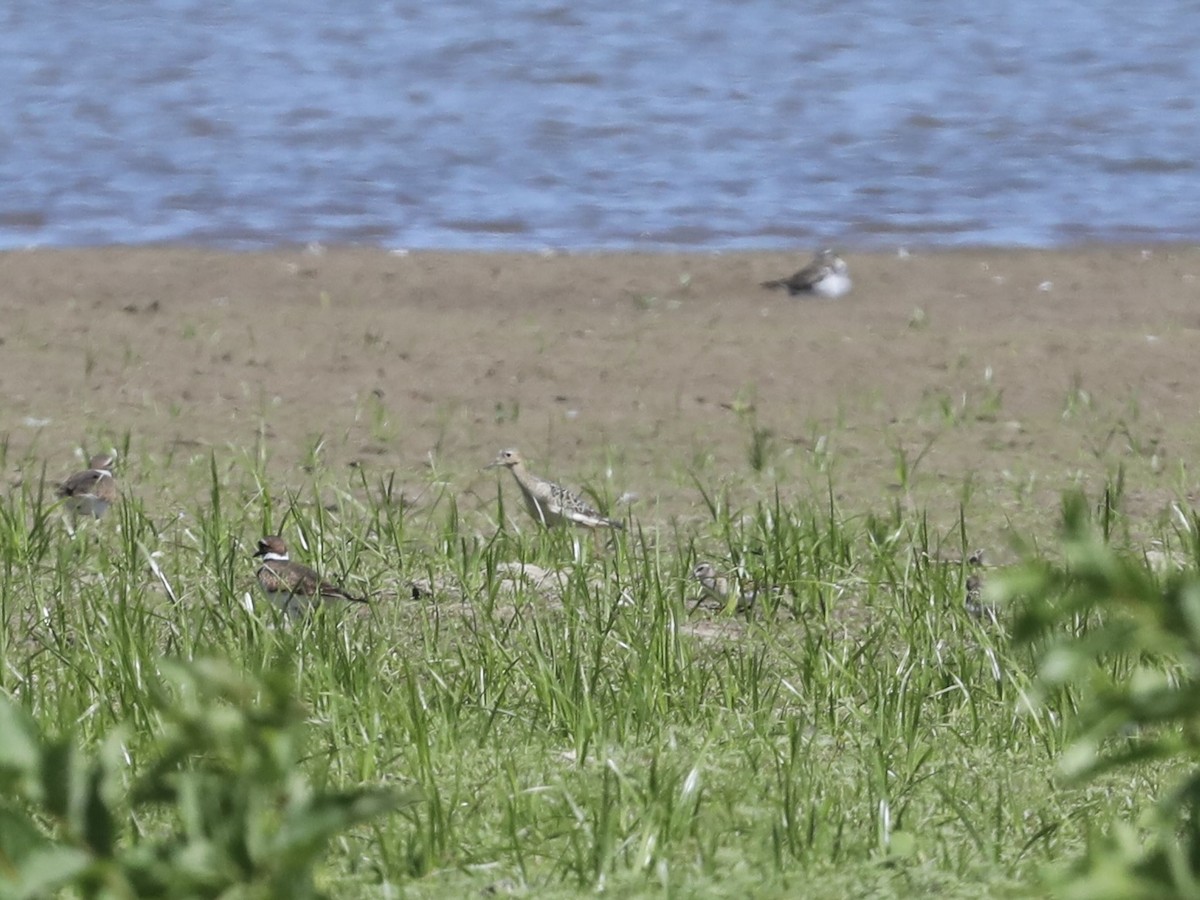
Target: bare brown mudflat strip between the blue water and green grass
point(1027, 364)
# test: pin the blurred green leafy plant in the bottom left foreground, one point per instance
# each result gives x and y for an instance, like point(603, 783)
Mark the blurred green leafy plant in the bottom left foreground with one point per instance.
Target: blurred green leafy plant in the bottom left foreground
point(218, 805)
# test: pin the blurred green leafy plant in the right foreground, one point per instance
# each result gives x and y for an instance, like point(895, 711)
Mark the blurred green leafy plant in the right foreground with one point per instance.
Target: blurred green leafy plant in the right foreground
point(1119, 633)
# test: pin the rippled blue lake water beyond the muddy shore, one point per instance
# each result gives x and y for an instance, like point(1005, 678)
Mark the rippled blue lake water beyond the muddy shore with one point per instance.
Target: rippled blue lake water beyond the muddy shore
point(533, 124)
